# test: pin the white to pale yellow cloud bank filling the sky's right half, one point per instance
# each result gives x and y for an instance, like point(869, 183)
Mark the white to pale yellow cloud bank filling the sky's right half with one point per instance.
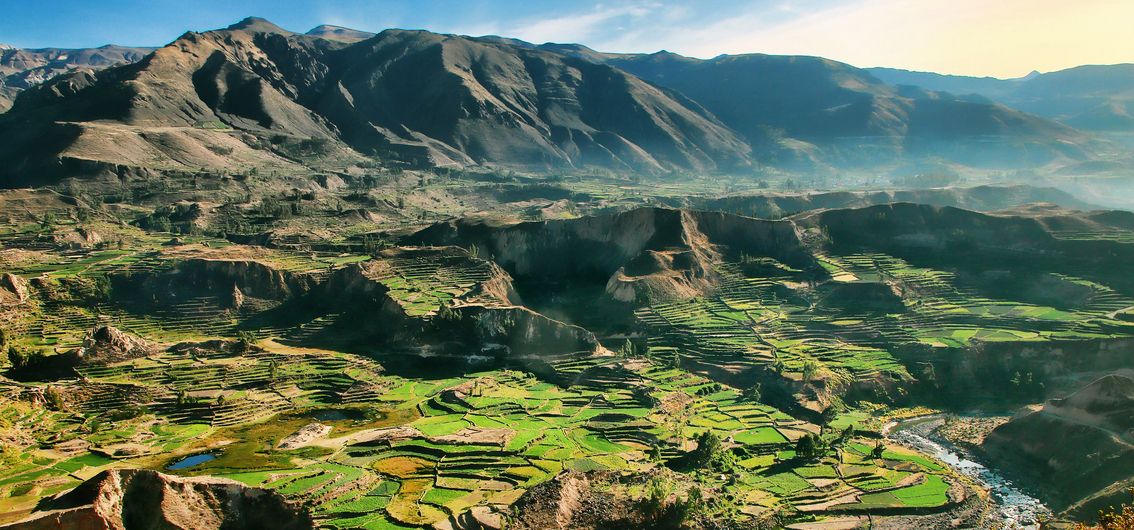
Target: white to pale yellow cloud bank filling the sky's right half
point(1004, 38)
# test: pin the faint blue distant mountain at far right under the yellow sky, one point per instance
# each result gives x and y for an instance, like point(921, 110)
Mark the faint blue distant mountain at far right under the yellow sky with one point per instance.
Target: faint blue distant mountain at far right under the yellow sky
point(1093, 98)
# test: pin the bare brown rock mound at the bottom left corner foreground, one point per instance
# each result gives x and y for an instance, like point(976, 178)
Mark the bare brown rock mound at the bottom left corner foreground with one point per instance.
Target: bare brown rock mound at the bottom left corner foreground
point(121, 500)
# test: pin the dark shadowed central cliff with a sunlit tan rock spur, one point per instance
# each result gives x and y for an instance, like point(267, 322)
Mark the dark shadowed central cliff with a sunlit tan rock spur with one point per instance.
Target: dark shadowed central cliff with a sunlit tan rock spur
point(650, 253)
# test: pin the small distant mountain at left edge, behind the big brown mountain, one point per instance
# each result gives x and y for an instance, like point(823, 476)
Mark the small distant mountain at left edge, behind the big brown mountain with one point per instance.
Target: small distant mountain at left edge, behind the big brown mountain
point(21, 70)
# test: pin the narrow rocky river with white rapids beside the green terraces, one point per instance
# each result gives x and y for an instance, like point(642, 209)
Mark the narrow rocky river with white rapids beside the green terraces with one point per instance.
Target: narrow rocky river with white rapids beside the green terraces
point(1014, 509)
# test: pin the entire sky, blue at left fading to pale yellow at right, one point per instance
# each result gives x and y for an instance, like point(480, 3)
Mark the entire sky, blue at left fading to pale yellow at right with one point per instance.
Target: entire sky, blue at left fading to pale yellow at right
point(993, 38)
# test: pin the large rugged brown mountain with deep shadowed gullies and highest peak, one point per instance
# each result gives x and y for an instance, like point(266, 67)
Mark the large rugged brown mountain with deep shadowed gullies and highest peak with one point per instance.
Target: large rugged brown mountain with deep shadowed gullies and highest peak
point(221, 99)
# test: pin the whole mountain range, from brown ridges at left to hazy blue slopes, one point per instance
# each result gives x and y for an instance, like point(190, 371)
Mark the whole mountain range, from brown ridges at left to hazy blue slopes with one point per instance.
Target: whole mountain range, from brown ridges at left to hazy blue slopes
point(257, 97)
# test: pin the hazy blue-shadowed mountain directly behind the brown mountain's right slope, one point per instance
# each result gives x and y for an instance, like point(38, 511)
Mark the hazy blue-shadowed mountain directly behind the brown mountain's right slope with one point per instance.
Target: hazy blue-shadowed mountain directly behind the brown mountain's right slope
point(820, 111)
